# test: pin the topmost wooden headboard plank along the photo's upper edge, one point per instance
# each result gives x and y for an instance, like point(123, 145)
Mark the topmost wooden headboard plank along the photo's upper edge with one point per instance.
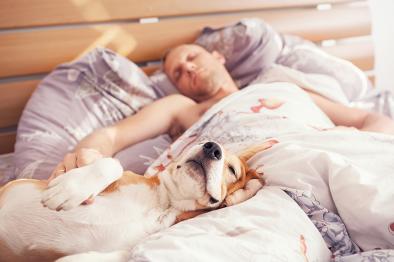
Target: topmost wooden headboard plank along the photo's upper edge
point(26, 13)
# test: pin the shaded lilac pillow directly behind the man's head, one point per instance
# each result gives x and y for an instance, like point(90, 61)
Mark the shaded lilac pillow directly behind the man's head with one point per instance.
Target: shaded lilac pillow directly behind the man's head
point(249, 46)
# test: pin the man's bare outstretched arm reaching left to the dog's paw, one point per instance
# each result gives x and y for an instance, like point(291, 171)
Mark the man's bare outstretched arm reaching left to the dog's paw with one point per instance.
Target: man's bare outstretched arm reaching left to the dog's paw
point(152, 120)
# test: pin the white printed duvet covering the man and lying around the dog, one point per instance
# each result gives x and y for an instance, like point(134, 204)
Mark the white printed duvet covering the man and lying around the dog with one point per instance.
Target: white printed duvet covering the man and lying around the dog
point(350, 173)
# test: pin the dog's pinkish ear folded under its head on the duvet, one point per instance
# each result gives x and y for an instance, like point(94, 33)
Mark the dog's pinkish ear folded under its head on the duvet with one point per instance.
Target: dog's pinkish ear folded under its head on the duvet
point(253, 183)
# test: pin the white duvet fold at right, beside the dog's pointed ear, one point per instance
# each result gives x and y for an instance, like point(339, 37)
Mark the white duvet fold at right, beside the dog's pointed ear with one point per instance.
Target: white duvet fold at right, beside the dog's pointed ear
point(350, 173)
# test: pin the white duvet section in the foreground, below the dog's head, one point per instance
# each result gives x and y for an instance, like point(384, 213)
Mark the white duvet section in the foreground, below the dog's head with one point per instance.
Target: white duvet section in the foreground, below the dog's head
point(268, 227)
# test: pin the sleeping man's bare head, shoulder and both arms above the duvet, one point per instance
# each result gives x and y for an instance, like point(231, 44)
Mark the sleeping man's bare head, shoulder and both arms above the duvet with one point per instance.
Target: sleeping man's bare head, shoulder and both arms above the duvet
point(202, 80)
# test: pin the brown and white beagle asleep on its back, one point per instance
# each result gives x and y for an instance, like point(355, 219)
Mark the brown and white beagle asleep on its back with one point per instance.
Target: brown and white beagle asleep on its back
point(44, 222)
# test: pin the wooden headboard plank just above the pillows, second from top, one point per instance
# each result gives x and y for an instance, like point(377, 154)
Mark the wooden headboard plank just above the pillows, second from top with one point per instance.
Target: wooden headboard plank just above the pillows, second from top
point(140, 42)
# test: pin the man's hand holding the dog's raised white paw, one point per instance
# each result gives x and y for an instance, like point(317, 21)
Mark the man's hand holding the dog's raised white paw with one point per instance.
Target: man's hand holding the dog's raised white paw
point(79, 158)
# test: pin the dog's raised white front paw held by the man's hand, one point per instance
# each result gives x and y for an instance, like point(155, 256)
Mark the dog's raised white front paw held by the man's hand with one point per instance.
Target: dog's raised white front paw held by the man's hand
point(73, 188)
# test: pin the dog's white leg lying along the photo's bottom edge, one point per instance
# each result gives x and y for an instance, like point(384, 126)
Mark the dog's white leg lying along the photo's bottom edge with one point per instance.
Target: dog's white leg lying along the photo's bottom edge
point(115, 256)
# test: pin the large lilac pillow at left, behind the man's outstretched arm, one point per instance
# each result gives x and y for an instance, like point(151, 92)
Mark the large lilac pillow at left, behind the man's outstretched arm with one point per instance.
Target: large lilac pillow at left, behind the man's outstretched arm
point(76, 98)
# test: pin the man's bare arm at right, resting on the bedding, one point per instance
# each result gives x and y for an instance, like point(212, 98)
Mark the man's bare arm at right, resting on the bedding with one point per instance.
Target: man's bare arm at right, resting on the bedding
point(342, 115)
